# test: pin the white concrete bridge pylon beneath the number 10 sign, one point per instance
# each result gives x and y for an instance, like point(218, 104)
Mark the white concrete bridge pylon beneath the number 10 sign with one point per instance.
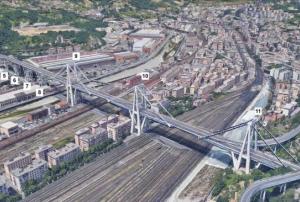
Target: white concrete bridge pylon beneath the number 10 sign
point(138, 123)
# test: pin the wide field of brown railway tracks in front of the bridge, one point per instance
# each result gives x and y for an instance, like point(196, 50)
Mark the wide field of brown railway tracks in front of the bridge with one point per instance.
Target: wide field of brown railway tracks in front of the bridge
point(142, 169)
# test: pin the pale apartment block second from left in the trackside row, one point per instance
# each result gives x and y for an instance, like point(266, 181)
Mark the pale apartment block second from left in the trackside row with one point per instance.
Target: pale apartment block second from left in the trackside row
point(65, 154)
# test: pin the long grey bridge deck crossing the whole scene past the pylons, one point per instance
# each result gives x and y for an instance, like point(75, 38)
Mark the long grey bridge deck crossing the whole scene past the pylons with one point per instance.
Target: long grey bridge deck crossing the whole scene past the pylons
point(234, 148)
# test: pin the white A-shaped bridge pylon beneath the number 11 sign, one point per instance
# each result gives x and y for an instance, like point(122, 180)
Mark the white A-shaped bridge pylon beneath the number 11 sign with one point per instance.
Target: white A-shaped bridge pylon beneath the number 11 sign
point(249, 142)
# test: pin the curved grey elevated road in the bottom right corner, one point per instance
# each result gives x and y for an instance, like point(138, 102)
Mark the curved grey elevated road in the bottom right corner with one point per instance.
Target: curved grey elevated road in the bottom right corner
point(261, 185)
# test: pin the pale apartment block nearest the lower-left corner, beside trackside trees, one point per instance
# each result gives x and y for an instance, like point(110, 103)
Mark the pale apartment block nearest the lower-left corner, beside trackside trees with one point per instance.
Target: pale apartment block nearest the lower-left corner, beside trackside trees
point(34, 171)
